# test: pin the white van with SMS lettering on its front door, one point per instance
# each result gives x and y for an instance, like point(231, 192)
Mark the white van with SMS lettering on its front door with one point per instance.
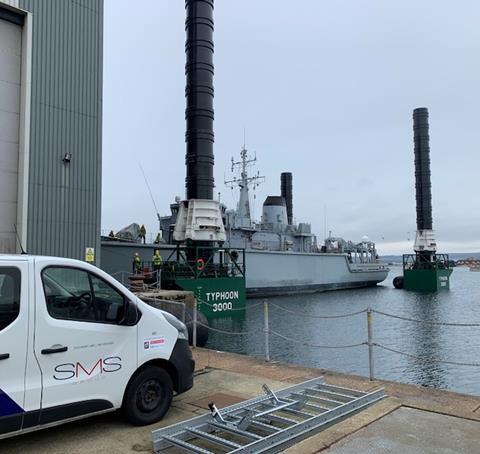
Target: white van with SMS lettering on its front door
point(74, 342)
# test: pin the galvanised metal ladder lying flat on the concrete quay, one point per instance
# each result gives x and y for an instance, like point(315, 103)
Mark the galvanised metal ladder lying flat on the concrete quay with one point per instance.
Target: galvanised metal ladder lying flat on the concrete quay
point(268, 423)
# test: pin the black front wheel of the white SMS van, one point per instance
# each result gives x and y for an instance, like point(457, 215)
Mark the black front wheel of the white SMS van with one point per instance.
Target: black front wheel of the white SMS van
point(148, 396)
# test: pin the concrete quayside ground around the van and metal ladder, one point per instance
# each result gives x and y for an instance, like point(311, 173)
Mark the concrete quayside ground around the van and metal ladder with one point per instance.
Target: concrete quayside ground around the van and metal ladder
point(410, 419)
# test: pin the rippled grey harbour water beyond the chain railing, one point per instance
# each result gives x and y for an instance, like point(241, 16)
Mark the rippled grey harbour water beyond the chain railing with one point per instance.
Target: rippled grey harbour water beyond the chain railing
point(459, 344)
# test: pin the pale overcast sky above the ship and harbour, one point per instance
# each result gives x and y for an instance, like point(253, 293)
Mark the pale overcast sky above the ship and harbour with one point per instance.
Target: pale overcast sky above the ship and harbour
point(324, 89)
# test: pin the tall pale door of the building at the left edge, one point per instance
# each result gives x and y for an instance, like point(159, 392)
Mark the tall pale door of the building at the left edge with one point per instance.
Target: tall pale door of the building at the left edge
point(10, 81)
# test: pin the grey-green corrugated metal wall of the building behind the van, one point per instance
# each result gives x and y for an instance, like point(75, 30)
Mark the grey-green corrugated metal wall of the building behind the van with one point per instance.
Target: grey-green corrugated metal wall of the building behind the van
point(64, 201)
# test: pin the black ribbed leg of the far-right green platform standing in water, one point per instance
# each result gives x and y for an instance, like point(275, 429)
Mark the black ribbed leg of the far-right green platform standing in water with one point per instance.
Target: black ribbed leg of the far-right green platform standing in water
point(422, 169)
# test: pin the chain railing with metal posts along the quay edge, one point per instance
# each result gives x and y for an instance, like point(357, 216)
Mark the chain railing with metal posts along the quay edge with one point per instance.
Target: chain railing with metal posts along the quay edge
point(369, 342)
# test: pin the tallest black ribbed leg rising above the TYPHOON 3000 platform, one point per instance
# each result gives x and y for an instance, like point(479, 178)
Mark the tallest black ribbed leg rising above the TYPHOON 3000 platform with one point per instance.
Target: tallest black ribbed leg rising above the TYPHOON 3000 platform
point(199, 99)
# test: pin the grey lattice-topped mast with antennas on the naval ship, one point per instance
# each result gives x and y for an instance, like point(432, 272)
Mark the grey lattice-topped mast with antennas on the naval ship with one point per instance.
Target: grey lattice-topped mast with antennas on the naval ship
point(243, 214)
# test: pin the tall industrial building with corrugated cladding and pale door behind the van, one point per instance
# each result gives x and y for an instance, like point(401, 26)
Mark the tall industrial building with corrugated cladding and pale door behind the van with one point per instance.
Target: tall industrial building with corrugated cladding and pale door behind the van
point(51, 63)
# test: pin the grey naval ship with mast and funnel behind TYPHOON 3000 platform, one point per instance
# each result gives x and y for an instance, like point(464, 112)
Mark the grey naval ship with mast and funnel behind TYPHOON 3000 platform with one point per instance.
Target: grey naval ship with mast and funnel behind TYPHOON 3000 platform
point(282, 257)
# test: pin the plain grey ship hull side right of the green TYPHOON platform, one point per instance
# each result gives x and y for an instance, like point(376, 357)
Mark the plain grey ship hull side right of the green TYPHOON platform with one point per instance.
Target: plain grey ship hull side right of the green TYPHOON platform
point(272, 273)
